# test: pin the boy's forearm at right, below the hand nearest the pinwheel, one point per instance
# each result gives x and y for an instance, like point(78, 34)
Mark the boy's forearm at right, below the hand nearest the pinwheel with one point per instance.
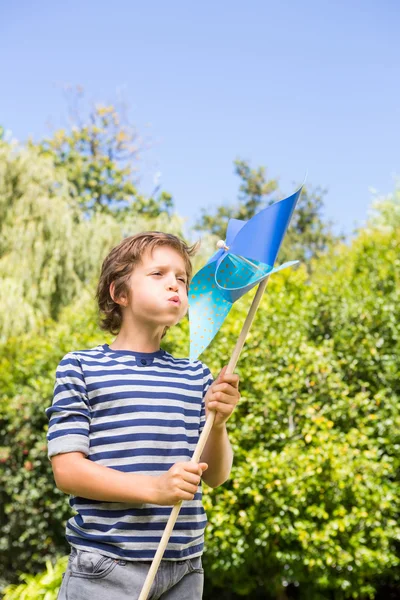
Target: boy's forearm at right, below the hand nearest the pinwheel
point(218, 454)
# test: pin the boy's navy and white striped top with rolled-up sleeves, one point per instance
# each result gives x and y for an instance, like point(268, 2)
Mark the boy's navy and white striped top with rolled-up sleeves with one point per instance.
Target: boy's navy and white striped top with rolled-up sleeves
point(137, 413)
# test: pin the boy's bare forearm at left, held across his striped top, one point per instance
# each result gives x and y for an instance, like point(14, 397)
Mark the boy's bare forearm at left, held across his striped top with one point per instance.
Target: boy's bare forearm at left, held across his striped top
point(82, 477)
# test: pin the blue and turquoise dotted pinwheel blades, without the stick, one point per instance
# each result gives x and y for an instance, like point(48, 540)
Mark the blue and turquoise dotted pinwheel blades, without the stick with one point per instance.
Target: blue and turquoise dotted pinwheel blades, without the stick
point(246, 258)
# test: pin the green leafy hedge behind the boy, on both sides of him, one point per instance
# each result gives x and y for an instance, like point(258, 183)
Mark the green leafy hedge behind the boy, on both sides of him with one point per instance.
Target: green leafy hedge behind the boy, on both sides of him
point(313, 499)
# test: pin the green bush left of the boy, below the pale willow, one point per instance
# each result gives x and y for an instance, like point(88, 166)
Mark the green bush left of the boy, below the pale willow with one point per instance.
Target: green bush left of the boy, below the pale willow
point(32, 509)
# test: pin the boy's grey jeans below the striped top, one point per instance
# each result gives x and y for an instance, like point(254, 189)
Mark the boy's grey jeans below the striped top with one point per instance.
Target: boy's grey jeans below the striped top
point(93, 576)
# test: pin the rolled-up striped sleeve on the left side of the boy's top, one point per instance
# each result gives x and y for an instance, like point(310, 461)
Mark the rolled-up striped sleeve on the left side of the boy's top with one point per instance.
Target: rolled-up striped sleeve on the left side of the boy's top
point(69, 415)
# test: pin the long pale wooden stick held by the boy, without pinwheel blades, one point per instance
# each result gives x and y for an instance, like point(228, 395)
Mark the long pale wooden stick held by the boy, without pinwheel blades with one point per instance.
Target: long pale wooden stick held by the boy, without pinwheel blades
point(201, 443)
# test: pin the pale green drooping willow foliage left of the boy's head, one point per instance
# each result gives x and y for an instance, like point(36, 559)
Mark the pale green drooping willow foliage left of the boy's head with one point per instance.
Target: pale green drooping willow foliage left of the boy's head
point(49, 250)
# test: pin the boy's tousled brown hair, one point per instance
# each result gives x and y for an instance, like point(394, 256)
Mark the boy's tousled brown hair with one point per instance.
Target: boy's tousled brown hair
point(118, 266)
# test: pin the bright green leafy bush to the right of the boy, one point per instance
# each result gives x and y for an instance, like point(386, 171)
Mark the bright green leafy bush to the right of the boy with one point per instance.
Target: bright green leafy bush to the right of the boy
point(313, 500)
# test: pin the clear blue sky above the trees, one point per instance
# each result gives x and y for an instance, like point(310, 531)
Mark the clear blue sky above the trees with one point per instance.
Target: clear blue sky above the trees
point(295, 86)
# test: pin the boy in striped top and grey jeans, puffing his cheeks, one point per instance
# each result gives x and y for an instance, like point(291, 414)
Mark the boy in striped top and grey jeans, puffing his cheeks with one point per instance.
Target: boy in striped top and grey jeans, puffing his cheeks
point(124, 423)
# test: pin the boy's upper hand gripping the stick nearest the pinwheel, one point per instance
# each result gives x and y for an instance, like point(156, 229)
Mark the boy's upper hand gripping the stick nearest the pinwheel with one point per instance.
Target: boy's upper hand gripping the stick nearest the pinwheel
point(222, 396)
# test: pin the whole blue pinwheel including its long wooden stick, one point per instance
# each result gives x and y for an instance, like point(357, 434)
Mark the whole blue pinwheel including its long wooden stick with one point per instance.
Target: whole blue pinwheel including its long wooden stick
point(246, 258)
